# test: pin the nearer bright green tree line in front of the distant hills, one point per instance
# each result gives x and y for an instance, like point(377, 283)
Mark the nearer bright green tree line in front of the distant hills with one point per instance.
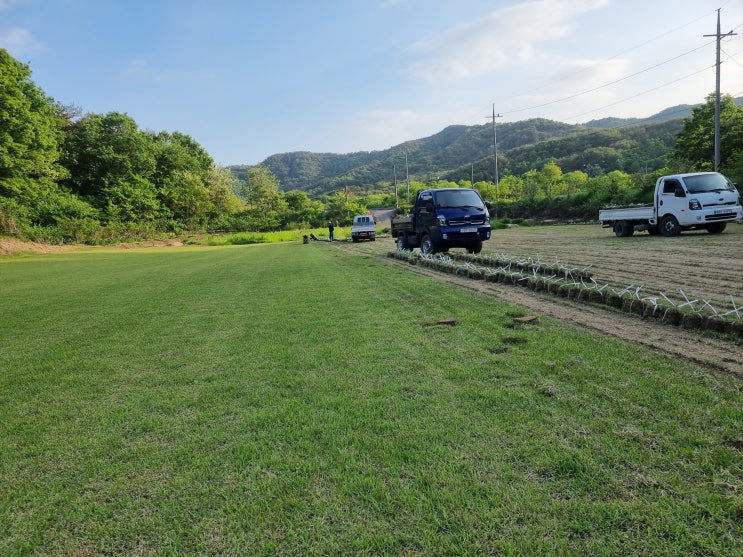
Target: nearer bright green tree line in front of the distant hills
point(97, 178)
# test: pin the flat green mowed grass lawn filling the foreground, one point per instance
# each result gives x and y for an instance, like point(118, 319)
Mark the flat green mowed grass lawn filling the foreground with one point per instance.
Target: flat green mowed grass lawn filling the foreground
point(297, 400)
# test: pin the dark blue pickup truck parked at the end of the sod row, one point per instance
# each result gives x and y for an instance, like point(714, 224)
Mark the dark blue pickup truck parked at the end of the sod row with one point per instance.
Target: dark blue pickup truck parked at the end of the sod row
point(441, 219)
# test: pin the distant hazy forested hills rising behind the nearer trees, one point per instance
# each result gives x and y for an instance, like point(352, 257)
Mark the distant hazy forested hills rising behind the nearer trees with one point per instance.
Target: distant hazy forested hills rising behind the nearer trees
point(461, 152)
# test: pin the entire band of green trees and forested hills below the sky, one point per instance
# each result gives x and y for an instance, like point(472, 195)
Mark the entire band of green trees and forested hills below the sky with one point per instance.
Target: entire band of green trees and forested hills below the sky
point(67, 176)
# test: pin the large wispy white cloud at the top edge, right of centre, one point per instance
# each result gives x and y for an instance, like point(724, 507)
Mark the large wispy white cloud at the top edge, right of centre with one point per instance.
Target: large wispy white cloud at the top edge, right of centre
point(507, 36)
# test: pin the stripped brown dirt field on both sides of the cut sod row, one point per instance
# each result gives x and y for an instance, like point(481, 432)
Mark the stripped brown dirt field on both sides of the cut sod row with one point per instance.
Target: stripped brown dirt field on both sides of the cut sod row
point(705, 267)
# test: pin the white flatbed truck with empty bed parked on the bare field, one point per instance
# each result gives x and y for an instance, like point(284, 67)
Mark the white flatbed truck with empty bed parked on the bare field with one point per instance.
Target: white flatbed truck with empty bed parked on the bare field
point(699, 200)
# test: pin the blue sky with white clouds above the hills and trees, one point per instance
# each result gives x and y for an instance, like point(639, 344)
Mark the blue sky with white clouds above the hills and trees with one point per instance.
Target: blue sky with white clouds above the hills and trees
point(247, 79)
